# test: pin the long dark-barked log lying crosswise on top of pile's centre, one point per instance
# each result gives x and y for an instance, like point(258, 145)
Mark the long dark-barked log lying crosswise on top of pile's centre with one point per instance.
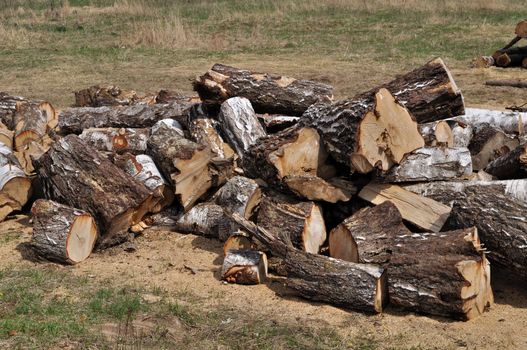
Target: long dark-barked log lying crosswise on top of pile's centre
point(268, 93)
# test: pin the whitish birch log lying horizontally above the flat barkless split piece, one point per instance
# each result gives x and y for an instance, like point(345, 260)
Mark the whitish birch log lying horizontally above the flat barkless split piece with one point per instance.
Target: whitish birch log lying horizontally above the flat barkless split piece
point(431, 164)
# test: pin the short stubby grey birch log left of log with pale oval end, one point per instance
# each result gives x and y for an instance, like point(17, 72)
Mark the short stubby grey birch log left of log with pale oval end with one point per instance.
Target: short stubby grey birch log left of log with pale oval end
point(240, 195)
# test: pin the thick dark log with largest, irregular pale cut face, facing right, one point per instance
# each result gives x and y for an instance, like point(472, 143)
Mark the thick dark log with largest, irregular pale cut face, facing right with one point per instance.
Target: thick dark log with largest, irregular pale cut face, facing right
point(366, 133)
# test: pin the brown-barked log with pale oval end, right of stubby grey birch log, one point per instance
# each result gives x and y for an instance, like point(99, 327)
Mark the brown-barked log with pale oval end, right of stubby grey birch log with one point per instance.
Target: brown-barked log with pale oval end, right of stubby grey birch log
point(298, 223)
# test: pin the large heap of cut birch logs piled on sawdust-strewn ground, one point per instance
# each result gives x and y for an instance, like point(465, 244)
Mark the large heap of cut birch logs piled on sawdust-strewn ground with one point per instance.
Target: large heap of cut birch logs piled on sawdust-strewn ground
point(397, 195)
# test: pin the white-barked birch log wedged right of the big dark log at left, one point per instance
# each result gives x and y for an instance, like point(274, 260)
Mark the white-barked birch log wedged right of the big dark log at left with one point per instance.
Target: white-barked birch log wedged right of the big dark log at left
point(143, 169)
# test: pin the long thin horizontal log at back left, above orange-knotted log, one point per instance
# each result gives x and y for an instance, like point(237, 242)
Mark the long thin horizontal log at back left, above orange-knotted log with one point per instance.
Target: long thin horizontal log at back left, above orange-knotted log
point(141, 115)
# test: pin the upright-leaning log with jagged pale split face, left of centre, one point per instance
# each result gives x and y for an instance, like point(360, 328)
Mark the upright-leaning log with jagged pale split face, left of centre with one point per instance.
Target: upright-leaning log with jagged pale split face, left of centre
point(183, 162)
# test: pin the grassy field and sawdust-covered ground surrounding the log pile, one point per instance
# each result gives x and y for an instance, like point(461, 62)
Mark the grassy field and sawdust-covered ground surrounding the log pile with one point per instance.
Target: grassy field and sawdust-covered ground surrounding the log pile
point(50, 48)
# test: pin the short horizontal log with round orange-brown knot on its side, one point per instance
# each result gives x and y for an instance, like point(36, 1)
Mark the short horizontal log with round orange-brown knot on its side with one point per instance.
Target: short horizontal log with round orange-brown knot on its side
point(117, 140)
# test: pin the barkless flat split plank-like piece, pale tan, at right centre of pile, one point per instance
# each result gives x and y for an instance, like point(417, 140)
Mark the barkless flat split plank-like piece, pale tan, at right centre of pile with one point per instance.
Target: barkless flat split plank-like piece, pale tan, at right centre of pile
point(421, 211)
